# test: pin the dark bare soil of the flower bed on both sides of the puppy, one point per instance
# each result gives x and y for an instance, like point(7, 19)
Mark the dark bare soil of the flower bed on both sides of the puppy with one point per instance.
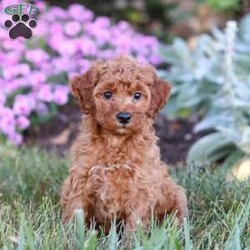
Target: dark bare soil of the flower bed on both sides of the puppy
point(176, 137)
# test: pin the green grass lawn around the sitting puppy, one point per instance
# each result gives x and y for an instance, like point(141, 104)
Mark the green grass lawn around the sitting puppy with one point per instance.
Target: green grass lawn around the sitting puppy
point(30, 217)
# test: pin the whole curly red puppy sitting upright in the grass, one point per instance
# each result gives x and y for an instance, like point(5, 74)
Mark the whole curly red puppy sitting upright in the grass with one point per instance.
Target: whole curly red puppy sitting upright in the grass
point(116, 169)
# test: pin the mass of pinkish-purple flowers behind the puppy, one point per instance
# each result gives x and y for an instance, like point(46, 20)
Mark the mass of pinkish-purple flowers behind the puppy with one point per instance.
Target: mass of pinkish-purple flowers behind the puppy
point(34, 73)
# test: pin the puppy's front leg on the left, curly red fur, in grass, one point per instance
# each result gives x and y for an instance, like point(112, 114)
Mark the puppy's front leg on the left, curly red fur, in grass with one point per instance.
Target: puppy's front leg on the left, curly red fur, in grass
point(74, 195)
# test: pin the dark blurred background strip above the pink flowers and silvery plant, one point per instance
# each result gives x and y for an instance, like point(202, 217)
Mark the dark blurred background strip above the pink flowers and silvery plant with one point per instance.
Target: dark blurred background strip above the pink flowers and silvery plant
point(167, 18)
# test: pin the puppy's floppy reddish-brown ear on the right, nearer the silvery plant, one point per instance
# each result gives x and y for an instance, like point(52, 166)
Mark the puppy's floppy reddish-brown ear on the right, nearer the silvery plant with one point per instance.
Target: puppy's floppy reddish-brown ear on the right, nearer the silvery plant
point(159, 95)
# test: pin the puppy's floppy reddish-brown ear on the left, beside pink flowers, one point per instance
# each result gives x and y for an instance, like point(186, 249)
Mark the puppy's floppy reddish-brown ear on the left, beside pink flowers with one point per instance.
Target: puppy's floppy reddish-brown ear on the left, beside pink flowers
point(82, 88)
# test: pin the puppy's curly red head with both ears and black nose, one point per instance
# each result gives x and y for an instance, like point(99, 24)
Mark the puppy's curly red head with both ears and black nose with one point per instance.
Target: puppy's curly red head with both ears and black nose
point(121, 94)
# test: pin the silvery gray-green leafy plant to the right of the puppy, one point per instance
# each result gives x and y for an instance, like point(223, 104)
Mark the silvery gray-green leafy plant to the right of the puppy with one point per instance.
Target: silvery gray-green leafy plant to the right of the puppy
point(213, 80)
